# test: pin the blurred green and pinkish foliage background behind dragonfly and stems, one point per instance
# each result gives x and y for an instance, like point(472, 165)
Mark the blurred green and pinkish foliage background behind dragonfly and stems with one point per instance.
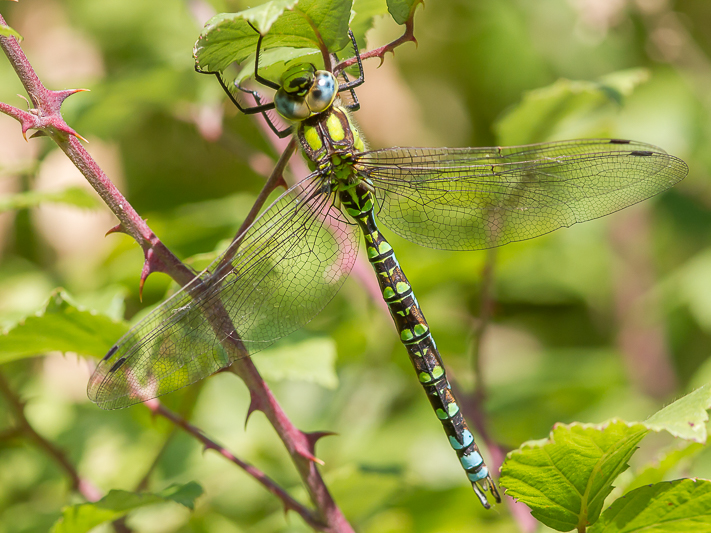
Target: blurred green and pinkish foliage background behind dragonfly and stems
point(610, 318)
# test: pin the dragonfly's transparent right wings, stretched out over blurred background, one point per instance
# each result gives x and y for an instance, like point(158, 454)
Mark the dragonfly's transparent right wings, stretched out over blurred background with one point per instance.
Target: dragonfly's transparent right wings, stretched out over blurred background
point(474, 198)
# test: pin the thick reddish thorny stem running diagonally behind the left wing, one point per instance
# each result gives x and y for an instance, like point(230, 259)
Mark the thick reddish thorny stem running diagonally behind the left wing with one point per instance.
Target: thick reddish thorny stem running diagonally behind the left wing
point(45, 116)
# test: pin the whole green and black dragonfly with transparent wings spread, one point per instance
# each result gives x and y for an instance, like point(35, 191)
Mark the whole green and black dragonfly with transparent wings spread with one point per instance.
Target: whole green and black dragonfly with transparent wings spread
point(292, 260)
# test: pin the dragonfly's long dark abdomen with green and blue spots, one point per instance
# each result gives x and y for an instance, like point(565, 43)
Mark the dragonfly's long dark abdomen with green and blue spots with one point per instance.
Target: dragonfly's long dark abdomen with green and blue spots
point(415, 335)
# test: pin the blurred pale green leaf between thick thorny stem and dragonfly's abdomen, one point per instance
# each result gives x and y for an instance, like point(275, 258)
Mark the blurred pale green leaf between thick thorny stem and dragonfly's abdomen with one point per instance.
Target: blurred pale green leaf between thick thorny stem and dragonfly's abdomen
point(312, 360)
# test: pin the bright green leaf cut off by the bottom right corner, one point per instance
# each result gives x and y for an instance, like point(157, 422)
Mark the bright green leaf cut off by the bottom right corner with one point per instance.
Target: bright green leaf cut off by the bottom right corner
point(683, 505)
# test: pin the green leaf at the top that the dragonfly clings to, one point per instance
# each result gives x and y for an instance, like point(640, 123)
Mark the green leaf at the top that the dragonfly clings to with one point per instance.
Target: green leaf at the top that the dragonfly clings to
point(316, 24)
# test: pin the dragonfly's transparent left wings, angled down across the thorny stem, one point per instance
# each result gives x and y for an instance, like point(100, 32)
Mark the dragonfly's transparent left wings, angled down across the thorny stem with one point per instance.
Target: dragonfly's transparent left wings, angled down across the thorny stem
point(288, 266)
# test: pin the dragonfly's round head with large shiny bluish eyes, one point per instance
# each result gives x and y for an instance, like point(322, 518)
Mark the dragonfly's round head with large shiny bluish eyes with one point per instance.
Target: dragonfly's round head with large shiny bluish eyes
point(305, 92)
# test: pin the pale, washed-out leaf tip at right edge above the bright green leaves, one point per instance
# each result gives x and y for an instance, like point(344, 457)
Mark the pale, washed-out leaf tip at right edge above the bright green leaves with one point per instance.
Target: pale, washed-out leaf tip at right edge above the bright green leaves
point(686, 417)
